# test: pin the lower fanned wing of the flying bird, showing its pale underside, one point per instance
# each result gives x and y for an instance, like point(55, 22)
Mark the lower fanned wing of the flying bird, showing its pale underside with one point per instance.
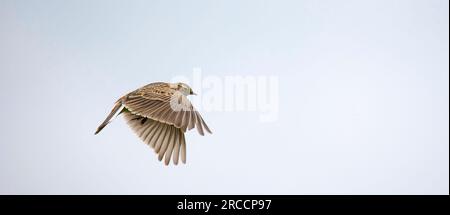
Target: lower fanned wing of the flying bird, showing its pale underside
point(165, 139)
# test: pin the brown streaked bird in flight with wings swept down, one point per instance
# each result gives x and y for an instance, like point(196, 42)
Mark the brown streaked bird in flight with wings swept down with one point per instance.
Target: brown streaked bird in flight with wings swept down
point(160, 113)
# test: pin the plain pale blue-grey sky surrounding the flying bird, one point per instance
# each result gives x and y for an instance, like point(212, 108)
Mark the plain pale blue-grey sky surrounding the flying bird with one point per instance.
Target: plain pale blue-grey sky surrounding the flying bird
point(363, 106)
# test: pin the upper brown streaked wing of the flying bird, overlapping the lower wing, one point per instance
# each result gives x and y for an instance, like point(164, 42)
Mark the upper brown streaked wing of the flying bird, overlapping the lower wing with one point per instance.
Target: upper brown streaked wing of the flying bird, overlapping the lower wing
point(159, 102)
